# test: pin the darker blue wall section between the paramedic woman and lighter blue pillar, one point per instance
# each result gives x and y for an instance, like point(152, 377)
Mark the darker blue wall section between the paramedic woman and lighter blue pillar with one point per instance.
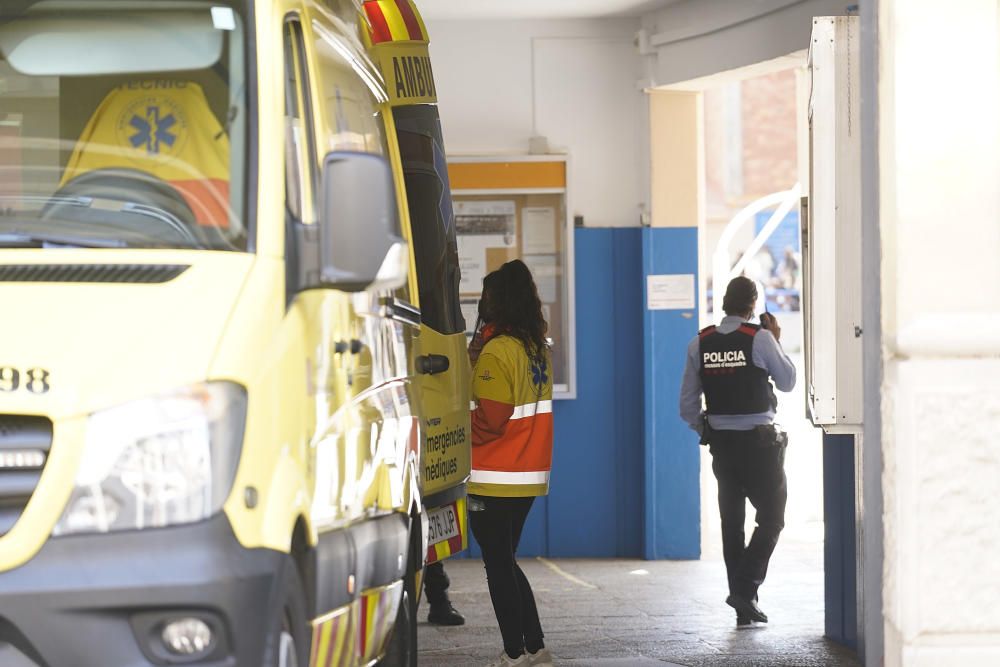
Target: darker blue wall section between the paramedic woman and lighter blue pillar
point(594, 507)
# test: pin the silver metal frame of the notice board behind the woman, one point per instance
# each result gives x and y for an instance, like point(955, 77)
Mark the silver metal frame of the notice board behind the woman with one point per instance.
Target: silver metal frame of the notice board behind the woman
point(559, 391)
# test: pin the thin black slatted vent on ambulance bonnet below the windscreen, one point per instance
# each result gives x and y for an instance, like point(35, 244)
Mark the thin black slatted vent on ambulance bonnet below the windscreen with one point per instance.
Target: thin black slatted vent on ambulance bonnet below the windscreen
point(90, 273)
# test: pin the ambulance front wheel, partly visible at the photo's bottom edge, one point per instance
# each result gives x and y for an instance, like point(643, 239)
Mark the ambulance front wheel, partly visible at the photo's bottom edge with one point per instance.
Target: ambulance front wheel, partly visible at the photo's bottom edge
point(288, 639)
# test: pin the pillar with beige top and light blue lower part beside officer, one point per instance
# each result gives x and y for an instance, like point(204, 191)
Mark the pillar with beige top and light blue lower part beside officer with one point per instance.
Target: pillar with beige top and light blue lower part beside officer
point(672, 503)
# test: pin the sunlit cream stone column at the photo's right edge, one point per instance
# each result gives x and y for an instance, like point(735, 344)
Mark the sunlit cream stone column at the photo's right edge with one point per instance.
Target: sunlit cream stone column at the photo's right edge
point(939, 142)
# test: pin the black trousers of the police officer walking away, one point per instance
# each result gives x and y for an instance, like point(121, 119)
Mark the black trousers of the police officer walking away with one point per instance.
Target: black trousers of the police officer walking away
point(746, 469)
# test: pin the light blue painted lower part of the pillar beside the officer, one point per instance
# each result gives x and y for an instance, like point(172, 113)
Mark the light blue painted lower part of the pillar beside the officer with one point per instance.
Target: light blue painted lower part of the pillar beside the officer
point(672, 460)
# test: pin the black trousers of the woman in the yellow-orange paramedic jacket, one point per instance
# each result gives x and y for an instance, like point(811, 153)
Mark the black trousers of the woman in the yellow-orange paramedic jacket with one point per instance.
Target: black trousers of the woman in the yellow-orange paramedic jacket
point(497, 528)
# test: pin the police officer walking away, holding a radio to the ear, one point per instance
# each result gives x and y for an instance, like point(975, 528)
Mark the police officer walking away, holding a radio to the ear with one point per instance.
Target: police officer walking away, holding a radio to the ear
point(733, 365)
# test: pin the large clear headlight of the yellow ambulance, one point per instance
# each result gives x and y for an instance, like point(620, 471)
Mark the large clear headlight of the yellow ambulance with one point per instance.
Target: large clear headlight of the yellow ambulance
point(160, 461)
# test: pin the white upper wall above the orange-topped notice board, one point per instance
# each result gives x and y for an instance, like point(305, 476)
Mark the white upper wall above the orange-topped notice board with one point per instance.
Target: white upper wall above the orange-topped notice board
point(574, 82)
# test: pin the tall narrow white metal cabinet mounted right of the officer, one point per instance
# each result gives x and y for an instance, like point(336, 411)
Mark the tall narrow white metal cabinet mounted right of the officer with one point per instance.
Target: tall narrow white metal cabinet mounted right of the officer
point(832, 230)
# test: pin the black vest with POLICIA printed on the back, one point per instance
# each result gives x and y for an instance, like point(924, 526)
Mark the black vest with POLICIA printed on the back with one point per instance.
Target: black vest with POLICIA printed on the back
point(731, 382)
